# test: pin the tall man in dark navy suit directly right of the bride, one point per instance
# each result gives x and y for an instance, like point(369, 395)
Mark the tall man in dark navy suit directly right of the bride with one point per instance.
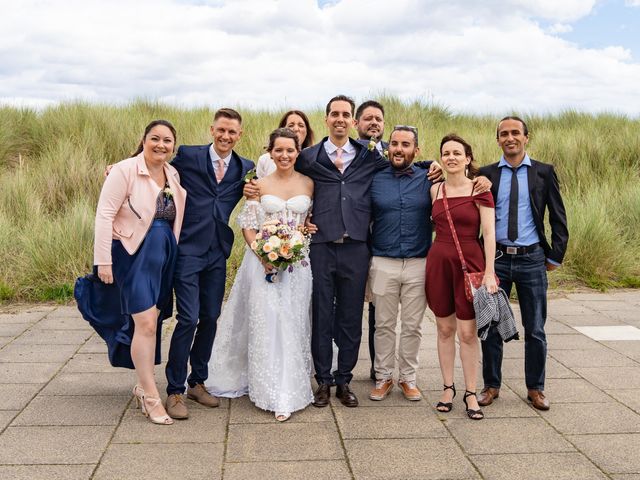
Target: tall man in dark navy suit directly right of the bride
point(342, 170)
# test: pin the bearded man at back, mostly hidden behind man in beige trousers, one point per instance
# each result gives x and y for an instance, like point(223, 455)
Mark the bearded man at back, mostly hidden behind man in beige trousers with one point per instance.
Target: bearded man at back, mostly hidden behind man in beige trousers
point(370, 126)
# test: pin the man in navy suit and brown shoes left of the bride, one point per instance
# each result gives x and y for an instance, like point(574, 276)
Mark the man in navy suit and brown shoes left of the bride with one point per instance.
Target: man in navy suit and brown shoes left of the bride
point(213, 177)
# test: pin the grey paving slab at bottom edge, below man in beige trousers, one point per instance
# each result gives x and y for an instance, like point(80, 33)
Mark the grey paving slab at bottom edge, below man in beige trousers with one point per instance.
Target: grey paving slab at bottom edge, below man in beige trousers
point(408, 459)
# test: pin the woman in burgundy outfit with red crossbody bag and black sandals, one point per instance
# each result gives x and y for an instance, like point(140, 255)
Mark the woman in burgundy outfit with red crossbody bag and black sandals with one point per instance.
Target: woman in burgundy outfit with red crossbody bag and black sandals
point(444, 277)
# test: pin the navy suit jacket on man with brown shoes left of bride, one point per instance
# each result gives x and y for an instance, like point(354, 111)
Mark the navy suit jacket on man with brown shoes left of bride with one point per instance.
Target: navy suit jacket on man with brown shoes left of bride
point(209, 204)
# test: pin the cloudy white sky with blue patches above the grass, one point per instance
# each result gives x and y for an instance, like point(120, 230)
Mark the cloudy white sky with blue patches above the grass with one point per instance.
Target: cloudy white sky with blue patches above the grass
point(492, 56)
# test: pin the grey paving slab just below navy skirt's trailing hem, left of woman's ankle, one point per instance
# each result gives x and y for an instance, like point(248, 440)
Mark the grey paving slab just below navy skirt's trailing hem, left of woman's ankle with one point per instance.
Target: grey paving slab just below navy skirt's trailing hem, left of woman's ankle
point(119, 382)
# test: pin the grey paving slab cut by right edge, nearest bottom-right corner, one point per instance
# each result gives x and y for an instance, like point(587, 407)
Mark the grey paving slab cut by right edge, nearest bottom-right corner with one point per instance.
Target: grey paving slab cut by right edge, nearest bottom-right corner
point(619, 454)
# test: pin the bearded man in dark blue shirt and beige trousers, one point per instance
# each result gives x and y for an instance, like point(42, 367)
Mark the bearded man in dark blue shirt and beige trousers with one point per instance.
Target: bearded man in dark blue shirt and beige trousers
point(400, 239)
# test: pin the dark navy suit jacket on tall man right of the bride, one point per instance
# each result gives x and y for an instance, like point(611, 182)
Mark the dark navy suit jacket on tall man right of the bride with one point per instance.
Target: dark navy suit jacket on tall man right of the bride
point(341, 201)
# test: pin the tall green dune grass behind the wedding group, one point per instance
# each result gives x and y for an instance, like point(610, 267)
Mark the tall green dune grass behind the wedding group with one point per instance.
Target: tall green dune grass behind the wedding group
point(51, 165)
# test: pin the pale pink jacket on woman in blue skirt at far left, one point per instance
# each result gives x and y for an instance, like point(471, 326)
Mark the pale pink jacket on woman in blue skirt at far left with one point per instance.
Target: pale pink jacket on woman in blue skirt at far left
point(127, 206)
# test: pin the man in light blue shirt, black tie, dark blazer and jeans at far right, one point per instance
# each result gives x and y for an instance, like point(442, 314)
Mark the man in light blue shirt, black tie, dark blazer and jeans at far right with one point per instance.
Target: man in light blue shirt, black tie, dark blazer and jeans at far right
point(523, 190)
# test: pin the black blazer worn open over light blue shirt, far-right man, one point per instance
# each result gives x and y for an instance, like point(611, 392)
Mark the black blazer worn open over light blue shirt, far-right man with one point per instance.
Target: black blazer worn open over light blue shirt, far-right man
point(544, 192)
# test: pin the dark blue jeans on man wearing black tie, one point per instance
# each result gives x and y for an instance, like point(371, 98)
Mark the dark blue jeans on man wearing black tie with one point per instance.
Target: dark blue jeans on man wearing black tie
point(529, 274)
